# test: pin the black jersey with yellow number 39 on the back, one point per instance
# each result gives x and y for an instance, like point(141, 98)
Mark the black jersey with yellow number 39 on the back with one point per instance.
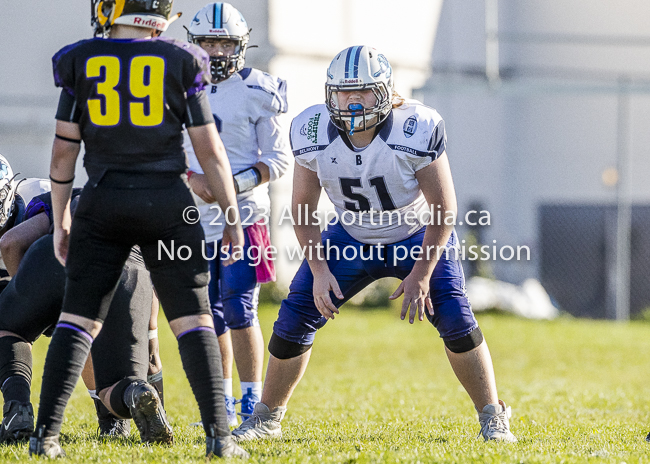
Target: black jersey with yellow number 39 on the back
point(131, 98)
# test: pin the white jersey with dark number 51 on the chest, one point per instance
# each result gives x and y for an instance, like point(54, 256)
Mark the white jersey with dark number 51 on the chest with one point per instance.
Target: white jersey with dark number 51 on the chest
point(376, 183)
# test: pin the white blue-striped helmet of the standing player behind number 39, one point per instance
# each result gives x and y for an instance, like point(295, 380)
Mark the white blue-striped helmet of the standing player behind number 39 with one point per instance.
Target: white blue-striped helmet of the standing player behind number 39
point(221, 21)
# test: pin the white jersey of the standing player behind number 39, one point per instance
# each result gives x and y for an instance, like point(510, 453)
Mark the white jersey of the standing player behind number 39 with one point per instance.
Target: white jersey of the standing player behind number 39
point(246, 107)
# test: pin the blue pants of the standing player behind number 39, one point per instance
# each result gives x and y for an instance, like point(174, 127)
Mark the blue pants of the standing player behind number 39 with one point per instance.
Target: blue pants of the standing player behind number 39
point(233, 291)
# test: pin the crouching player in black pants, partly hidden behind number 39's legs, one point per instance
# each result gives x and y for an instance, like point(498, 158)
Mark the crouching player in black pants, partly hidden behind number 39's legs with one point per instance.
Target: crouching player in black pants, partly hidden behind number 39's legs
point(30, 307)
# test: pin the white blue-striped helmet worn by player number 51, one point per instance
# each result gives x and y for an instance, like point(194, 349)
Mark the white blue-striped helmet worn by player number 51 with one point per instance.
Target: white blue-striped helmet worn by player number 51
point(359, 68)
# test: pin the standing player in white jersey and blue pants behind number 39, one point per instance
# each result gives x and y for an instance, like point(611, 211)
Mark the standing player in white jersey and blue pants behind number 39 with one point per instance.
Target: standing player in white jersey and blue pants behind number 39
point(246, 104)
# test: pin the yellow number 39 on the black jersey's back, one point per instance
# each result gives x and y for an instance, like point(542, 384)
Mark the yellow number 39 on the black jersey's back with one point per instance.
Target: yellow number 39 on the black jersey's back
point(146, 83)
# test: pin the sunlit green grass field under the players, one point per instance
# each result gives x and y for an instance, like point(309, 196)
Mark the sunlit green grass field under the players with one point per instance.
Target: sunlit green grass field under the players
point(380, 390)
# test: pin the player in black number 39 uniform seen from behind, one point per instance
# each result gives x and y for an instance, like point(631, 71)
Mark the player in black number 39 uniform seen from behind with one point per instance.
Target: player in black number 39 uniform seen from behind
point(127, 97)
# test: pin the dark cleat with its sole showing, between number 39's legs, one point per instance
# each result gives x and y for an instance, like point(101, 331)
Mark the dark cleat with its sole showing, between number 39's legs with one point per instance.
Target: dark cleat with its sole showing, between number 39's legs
point(148, 414)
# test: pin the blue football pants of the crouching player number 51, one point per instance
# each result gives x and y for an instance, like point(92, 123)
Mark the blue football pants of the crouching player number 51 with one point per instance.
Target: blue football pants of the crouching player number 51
point(298, 319)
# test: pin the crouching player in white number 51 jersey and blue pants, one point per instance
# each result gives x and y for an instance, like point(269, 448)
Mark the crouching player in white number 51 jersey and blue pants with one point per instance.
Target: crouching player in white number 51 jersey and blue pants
point(382, 162)
